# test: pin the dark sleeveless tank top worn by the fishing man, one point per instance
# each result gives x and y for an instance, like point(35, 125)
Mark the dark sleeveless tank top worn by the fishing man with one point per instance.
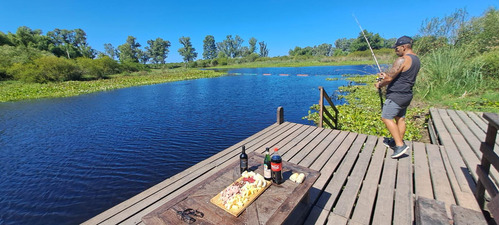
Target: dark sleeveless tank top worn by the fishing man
point(400, 90)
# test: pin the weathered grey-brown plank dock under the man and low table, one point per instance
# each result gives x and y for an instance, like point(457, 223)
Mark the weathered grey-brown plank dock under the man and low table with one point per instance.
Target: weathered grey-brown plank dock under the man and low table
point(359, 182)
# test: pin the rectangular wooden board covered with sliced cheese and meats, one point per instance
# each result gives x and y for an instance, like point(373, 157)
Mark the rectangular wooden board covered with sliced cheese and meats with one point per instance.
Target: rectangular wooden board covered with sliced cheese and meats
point(240, 194)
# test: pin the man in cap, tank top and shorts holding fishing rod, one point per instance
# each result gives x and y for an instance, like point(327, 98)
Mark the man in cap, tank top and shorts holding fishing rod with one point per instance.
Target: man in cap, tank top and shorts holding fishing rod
point(400, 78)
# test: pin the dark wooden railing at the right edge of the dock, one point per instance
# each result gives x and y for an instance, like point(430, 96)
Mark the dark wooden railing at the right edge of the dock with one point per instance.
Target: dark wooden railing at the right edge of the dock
point(489, 158)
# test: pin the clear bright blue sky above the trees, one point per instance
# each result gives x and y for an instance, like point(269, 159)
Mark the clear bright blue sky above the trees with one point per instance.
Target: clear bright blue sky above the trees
point(281, 24)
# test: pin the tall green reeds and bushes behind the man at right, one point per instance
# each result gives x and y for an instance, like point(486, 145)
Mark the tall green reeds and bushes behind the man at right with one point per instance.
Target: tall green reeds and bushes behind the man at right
point(460, 61)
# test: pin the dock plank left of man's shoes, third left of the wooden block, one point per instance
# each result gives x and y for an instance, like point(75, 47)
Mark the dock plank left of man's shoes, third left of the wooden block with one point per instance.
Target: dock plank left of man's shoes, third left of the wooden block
point(365, 203)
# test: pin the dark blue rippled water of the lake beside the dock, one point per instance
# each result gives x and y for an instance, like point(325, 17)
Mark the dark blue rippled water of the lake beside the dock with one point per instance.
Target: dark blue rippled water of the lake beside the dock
point(65, 160)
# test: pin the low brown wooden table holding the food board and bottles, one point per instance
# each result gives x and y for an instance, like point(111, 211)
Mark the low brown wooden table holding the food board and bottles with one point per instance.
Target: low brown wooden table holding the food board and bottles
point(274, 206)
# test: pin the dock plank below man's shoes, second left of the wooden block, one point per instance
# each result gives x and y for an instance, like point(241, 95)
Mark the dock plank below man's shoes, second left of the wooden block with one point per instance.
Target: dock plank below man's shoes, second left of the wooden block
point(385, 196)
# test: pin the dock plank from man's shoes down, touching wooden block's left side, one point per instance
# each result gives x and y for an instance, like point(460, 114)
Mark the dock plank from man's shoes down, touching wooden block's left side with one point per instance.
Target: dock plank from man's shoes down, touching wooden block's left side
point(403, 200)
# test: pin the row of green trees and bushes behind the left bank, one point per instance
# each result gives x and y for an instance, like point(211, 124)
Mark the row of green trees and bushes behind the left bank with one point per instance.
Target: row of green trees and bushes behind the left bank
point(60, 55)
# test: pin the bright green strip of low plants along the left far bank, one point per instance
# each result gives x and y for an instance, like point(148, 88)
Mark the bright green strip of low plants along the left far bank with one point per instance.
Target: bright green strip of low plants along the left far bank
point(17, 90)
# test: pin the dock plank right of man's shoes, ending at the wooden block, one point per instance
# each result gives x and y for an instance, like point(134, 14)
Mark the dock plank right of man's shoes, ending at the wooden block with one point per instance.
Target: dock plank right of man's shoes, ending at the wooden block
point(423, 184)
